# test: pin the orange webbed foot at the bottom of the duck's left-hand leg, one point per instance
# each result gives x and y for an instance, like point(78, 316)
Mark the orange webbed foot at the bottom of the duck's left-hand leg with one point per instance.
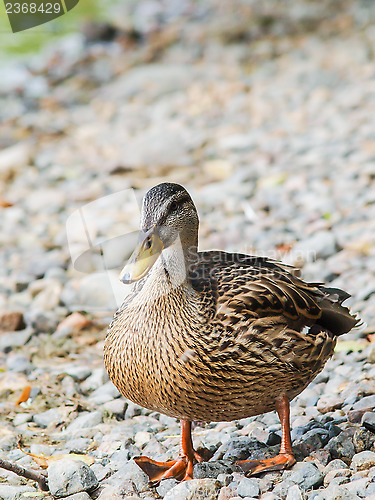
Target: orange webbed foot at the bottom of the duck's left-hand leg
point(181, 469)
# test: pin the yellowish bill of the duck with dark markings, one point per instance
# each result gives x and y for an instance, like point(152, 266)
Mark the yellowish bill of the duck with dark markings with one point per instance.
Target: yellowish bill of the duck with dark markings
point(145, 255)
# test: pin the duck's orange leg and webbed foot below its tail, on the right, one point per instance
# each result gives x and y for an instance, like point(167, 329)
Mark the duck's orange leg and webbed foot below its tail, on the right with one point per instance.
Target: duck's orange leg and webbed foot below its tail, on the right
point(285, 458)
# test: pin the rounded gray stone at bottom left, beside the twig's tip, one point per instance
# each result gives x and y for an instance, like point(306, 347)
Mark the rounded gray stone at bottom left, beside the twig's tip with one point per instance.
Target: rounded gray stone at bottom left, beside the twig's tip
point(66, 477)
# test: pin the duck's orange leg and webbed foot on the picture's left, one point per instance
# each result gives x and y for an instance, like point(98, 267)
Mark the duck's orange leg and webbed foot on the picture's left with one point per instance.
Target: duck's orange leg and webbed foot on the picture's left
point(181, 469)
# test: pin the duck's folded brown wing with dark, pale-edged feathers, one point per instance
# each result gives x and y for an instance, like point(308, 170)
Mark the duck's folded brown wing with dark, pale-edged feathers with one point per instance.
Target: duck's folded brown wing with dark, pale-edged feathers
point(258, 287)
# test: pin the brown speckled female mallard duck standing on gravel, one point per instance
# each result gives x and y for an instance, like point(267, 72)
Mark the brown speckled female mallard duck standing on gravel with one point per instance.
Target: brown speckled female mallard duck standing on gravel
point(214, 336)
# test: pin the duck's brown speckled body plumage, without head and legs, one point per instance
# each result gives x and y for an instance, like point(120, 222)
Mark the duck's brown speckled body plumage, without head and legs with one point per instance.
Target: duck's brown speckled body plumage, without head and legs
point(224, 344)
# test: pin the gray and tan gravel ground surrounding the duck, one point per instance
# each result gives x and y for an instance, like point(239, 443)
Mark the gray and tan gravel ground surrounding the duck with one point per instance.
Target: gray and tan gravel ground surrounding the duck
point(265, 111)
